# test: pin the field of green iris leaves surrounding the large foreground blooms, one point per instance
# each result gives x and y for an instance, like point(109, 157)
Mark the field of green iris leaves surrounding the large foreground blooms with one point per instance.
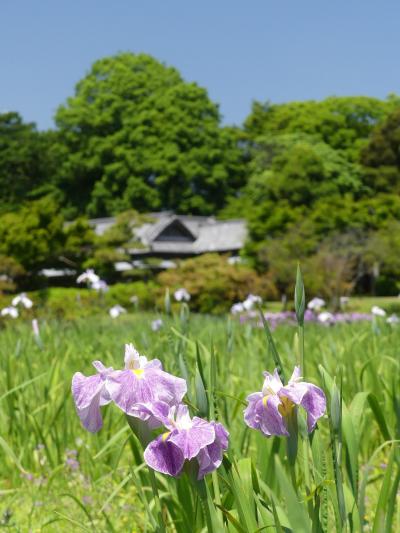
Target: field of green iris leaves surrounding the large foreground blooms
point(56, 476)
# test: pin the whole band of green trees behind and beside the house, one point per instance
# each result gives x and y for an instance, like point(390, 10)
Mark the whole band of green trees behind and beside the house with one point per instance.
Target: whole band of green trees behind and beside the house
point(317, 181)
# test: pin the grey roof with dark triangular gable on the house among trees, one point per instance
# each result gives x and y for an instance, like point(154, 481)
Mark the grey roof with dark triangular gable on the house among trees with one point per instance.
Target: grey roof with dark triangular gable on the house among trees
point(172, 234)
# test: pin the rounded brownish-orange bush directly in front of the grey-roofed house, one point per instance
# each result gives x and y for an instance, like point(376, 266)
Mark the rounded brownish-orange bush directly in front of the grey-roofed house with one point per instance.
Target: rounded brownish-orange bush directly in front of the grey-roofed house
point(214, 284)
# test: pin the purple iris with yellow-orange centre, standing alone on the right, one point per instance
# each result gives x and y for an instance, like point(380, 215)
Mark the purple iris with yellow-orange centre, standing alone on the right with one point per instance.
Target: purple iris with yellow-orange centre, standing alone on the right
point(269, 409)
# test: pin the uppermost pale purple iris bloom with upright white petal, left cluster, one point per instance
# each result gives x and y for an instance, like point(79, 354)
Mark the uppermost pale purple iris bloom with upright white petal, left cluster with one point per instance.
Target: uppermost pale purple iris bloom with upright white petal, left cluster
point(143, 382)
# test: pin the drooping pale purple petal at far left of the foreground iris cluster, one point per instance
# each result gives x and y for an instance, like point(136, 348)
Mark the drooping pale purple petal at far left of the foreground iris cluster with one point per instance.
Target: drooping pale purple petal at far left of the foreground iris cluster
point(90, 393)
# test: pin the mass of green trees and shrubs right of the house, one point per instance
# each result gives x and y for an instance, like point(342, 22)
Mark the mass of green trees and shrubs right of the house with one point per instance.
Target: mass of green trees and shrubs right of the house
point(322, 190)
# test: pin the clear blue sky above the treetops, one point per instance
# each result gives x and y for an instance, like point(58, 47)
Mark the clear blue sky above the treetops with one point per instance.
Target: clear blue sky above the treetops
point(239, 50)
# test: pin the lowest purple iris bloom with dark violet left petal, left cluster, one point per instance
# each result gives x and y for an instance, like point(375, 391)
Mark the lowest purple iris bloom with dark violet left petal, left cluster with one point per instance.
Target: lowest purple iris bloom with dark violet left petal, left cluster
point(187, 438)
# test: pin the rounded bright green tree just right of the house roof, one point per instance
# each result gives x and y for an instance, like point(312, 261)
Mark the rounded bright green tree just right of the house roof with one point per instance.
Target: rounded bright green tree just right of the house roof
point(289, 175)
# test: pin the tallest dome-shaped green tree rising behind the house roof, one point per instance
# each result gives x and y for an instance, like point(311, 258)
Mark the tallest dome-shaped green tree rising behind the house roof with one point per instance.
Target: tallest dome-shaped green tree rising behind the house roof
point(135, 134)
